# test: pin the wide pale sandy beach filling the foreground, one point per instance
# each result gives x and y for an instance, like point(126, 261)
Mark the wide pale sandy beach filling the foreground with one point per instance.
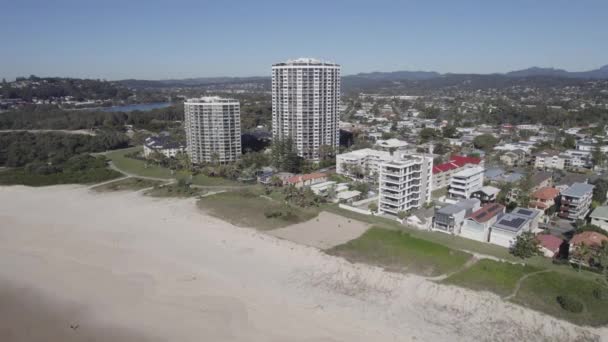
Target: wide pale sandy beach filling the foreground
point(82, 266)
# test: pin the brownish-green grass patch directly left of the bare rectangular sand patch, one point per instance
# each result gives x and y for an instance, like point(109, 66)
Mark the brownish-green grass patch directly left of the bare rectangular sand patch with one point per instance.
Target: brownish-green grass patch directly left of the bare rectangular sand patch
point(246, 208)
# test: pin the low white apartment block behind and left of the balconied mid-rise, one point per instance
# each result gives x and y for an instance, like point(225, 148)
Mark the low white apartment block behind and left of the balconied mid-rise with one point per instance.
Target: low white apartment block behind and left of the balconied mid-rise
point(365, 162)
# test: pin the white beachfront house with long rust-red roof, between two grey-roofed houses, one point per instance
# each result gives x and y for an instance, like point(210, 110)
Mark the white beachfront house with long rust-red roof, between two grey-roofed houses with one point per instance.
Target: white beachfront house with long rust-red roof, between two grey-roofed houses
point(477, 225)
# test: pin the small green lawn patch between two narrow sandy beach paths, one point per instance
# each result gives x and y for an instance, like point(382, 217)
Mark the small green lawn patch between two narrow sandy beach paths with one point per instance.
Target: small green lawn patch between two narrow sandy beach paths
point(489, 275)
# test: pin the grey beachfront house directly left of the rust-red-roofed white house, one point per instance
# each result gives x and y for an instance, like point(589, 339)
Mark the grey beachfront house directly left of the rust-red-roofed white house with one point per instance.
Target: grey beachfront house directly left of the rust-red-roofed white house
point(450, 218)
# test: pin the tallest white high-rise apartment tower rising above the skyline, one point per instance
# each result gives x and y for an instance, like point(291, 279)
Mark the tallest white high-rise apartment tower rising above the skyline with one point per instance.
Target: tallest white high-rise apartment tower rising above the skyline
point(305, 104)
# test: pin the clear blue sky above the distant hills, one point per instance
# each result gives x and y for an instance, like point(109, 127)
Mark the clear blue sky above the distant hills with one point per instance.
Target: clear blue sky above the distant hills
point(178, 39)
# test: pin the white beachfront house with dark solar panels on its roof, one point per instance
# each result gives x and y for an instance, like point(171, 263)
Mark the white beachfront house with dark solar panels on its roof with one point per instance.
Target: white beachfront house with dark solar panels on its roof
point(508, 227)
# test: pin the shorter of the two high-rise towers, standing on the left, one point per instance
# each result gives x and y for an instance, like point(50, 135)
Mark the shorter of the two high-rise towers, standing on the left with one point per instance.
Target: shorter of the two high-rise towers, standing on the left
point(213, 129)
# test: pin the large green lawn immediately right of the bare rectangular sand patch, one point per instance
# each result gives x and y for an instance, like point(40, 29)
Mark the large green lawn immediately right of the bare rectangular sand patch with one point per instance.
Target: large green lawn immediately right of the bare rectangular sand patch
point(399, 251)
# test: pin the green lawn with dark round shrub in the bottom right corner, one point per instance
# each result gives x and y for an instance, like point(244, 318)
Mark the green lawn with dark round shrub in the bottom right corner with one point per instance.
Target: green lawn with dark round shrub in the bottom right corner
point(540, 291)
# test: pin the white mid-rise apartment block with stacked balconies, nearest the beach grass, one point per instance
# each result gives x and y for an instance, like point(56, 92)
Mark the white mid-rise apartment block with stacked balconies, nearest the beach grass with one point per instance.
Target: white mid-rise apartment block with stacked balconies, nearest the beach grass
point(405, 183)
